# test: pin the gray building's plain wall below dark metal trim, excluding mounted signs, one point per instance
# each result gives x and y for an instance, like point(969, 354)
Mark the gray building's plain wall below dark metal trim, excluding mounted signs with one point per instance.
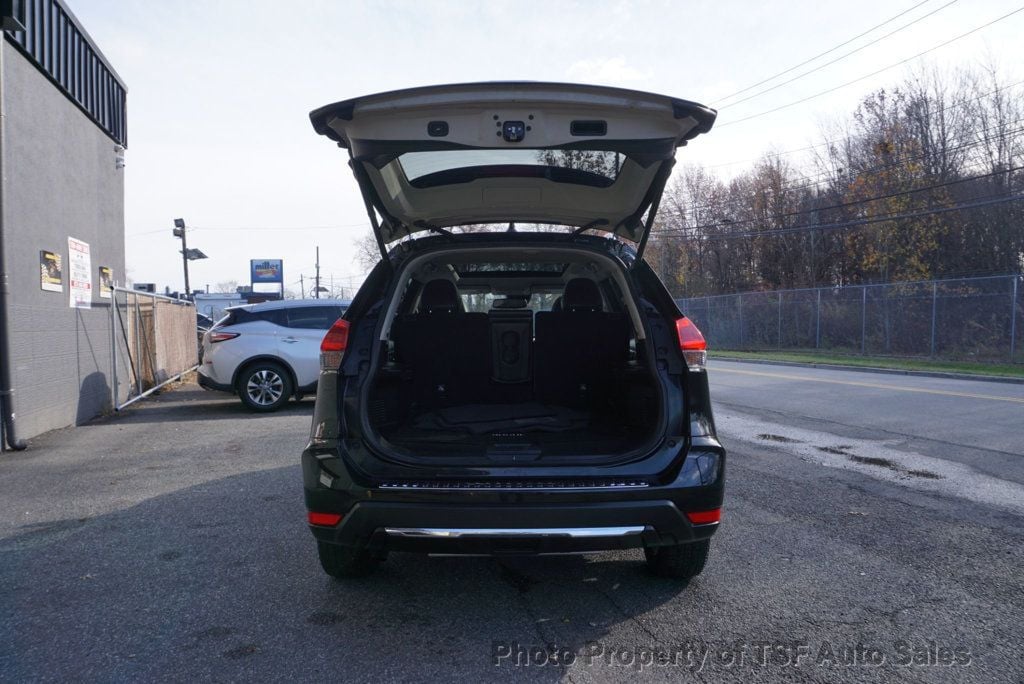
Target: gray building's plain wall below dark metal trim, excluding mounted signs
point(62, 182)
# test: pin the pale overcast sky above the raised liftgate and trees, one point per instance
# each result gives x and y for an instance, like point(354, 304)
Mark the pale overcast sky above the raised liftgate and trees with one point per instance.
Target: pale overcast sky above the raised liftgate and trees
point(220, 95)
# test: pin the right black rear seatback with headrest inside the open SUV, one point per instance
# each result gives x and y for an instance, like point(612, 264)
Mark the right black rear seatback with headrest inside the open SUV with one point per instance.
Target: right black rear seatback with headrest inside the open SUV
point(577, 350)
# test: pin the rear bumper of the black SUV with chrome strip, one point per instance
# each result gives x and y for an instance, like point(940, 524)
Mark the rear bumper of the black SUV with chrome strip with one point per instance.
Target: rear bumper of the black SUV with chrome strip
point(480, 520)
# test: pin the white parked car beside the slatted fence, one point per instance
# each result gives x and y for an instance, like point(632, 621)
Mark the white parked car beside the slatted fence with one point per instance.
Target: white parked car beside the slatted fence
point(268, 353)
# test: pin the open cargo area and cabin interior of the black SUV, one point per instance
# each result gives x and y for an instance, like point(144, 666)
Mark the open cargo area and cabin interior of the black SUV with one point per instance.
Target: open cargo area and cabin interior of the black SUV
point(514, 357)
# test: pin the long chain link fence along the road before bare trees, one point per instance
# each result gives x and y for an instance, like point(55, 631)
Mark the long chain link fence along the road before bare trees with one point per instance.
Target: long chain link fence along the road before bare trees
point(976, 319)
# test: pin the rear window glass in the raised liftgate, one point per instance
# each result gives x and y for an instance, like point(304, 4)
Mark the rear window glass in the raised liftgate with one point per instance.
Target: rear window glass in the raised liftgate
point(418, 165)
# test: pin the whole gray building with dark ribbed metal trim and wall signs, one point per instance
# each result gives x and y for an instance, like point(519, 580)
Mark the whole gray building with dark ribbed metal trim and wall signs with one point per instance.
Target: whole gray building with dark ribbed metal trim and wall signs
point(63, 140)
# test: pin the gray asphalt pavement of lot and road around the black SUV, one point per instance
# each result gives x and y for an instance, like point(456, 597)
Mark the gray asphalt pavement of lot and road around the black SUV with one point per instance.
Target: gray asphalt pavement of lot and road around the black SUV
point(169, 543)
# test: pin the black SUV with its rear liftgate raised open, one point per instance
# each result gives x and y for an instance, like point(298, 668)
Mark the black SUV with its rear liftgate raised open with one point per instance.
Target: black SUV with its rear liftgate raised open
point(504, 382)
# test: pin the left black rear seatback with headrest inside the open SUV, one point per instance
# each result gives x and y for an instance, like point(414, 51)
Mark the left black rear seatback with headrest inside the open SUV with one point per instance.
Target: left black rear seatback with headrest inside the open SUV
point(447, 349)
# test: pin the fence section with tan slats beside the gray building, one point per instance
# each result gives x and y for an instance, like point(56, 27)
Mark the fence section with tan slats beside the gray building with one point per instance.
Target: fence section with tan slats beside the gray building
point(156, 343)
